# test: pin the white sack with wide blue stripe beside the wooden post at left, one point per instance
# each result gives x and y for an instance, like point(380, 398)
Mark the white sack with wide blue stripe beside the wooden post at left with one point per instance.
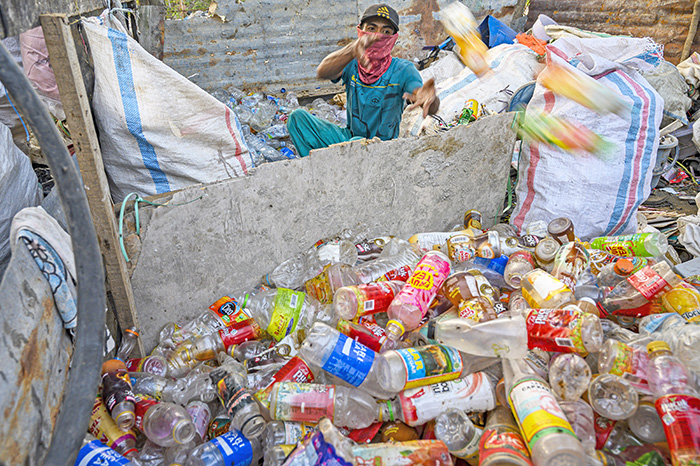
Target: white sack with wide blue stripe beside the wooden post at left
point(158, 131)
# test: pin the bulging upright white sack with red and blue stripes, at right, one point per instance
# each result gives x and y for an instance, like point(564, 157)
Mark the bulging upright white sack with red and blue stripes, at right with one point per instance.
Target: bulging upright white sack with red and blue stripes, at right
point(600, 195)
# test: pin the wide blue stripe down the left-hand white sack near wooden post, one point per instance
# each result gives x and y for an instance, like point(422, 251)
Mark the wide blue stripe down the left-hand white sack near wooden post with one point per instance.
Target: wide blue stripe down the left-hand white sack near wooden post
point(122, 65)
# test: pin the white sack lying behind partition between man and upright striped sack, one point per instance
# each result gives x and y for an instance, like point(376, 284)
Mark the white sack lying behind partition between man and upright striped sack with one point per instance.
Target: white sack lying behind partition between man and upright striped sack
point(513, 65)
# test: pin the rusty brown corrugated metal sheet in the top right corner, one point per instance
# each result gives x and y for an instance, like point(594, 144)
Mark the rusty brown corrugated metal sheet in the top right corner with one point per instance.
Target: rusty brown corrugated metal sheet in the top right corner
point(666, 21)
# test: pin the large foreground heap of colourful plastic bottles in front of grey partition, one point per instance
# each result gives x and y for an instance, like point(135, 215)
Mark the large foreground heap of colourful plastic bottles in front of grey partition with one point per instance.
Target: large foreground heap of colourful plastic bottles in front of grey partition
point(471, 346)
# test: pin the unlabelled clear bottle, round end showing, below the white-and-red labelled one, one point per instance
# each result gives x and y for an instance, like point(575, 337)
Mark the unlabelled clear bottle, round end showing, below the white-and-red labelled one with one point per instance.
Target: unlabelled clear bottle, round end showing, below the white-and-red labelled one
point(458, 433)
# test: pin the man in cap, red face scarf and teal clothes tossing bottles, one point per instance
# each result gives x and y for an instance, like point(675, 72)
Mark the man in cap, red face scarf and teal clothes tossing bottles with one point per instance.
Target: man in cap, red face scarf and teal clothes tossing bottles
point(376, 85)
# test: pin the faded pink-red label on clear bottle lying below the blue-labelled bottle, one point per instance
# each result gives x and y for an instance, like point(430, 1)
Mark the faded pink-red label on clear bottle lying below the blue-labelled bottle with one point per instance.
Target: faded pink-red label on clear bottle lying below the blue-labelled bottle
point(303, 402)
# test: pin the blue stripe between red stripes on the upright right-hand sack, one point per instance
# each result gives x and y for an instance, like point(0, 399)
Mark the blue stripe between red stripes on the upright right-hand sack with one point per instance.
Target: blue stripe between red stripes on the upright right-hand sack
point(630, 143)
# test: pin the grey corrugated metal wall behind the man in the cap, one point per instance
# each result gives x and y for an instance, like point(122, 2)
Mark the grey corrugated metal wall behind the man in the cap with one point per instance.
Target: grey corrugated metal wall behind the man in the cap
point(274, 44)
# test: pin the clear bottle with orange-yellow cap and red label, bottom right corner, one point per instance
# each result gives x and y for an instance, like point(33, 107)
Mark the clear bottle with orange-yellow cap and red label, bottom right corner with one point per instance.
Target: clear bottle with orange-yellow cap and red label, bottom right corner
point(677, 403)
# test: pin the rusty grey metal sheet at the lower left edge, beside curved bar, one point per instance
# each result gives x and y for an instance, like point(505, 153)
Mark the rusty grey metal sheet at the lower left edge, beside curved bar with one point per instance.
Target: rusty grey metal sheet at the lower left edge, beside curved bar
point(34, 366)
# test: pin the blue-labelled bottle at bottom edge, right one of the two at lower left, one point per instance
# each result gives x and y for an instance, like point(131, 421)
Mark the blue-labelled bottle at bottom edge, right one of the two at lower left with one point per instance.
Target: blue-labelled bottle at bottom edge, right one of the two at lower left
point(229, 449)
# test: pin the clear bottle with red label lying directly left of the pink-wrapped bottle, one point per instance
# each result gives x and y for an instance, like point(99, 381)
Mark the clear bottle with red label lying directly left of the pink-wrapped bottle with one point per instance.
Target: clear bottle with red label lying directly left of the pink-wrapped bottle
point(354, 301)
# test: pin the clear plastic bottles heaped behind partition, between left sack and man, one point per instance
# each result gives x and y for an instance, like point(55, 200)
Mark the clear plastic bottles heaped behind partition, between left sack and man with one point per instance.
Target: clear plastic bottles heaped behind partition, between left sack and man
point(263, 121)
